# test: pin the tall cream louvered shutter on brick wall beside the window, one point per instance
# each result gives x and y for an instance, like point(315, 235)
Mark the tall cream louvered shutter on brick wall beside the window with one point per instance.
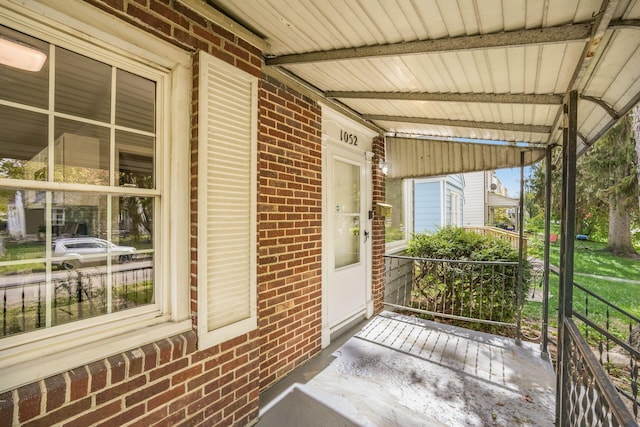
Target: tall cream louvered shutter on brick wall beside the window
point(227, 127)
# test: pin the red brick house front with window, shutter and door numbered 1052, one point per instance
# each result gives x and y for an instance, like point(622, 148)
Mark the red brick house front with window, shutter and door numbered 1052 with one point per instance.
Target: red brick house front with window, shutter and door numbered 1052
point(257, 203)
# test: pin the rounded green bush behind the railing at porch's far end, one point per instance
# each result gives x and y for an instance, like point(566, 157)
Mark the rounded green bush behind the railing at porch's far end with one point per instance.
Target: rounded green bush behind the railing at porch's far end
point(478, 291)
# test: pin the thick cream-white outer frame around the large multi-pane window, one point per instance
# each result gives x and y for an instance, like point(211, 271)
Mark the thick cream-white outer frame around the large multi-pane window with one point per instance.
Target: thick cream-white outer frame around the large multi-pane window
point(82, 28)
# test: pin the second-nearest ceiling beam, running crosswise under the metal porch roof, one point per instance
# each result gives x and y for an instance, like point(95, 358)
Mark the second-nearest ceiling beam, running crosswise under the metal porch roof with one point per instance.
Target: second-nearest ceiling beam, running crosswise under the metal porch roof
point(452, 97)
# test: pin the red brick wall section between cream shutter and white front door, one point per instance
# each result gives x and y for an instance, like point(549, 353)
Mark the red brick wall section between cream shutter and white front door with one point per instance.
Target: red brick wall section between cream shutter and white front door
point(290, 229)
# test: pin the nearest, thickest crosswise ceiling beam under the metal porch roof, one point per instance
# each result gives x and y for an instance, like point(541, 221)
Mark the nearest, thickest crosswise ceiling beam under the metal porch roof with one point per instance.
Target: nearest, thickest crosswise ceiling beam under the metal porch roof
point(564, 33)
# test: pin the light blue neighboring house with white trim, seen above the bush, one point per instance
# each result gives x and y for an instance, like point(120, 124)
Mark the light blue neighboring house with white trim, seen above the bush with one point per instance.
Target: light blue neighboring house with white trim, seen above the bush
point(438, 202)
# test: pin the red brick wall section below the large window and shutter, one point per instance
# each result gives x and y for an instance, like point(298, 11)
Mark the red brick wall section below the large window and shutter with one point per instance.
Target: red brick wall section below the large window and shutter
point(166, 383)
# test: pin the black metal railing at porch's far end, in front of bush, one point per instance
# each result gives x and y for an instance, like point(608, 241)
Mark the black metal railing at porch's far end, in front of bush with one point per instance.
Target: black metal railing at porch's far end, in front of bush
point(485, 292)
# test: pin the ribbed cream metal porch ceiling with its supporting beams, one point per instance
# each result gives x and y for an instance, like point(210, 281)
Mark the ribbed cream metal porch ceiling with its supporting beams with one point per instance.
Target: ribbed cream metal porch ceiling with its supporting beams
point(480, 70)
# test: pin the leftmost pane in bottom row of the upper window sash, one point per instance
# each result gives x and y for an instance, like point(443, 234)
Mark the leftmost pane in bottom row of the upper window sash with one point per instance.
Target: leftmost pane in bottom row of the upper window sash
point(23, 144)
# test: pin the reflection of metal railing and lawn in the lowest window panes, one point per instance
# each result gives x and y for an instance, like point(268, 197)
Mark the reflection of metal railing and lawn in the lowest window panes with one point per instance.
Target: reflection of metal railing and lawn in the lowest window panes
point(73, 296)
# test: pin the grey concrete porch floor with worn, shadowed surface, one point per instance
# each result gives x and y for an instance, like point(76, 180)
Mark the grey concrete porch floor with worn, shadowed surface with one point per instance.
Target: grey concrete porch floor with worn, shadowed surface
point(403, 371)
